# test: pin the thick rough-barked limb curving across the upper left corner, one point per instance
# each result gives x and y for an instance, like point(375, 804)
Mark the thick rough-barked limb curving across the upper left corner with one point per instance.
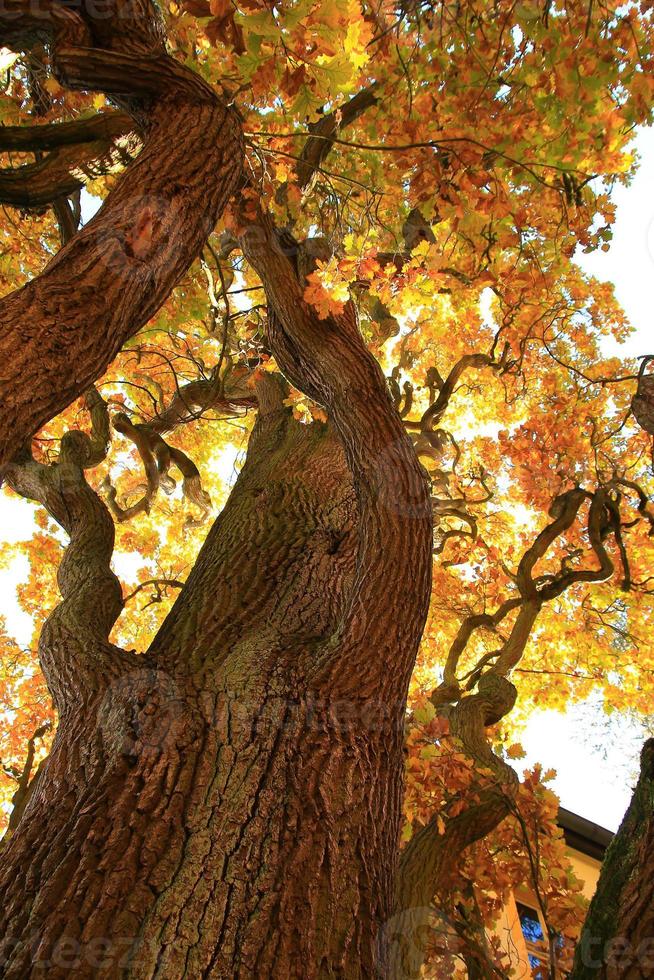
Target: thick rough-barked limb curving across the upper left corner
point(60, 331)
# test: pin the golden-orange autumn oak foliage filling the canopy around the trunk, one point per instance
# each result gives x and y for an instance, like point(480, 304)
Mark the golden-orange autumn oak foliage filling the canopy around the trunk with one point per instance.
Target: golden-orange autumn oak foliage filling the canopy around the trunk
point(440, 166)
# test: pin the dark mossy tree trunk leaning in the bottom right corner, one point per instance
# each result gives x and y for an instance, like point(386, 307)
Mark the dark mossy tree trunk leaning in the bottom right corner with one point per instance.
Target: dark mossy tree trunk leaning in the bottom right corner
point(616, 941)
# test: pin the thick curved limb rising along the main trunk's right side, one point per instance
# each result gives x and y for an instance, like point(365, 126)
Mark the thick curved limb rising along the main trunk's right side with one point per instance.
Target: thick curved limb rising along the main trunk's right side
point(328, 360)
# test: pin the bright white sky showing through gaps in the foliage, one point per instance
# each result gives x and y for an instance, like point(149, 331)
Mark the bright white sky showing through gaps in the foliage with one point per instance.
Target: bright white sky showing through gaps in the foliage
point(595, 757)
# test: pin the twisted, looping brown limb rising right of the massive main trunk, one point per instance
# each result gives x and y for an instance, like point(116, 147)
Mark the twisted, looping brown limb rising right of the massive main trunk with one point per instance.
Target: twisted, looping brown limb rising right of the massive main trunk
point(433, 853)
